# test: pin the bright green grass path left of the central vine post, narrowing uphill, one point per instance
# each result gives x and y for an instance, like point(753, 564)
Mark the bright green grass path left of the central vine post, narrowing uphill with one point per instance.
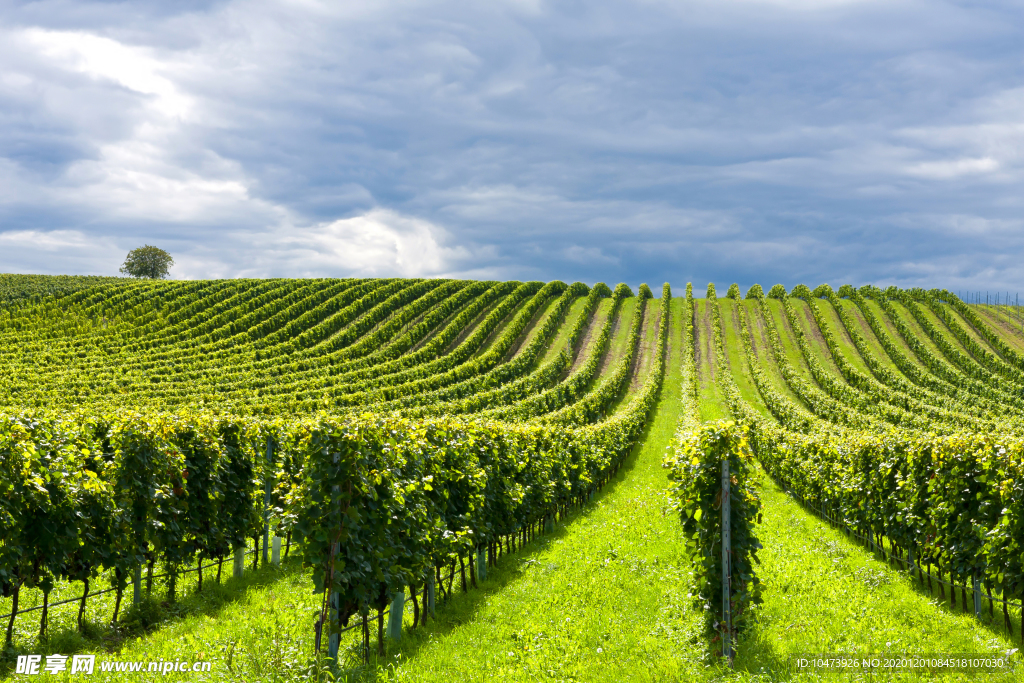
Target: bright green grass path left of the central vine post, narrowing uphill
point(604, 599)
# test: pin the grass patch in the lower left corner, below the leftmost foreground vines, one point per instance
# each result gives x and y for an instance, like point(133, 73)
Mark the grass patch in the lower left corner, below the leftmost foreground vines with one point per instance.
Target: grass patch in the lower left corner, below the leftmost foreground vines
point(257, 623)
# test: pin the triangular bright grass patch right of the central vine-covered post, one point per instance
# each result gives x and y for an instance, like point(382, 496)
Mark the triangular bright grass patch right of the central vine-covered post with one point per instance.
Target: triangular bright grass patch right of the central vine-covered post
point(826, 593)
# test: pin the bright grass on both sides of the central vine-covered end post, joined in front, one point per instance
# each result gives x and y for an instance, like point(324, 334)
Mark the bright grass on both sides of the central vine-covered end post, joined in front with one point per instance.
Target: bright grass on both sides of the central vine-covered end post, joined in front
point(607, 600)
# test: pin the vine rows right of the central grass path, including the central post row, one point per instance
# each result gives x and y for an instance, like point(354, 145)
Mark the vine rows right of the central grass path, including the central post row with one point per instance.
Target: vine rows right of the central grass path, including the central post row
point(894, 415)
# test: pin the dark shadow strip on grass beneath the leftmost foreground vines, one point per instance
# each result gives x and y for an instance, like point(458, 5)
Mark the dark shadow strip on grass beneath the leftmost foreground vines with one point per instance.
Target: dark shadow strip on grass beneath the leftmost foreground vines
point(148, 617)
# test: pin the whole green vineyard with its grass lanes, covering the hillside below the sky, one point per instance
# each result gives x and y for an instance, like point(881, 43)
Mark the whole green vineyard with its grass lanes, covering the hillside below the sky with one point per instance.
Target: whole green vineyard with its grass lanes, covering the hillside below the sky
point(524, 479)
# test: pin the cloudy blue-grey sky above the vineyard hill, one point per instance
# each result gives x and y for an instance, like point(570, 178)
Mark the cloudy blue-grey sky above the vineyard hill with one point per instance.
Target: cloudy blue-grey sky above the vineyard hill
point(711, 141)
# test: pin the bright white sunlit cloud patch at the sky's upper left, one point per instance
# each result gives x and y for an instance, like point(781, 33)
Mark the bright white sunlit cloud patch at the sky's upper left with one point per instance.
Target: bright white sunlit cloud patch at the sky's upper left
point(156, 172)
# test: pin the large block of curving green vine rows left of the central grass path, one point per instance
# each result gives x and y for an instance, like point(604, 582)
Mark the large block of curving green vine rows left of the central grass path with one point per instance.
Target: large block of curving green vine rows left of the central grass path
point(147, 421)
